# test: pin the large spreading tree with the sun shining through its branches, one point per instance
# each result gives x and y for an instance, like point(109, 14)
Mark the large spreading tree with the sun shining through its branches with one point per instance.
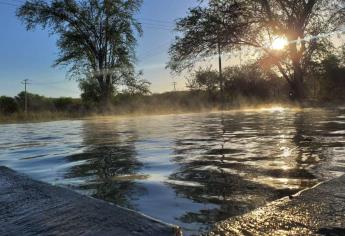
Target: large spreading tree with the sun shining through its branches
point(256, 24)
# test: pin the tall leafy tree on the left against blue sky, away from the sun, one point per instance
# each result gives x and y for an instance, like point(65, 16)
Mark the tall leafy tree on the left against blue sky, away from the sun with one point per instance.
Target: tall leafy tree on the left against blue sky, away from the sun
point(96, 37)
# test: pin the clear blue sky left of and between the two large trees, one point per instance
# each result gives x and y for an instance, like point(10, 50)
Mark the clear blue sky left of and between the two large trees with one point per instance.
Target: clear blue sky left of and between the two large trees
point(30, 54)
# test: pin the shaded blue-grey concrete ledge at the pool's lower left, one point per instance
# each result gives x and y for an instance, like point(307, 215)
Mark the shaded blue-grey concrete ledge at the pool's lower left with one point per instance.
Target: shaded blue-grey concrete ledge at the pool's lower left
point(29, 207)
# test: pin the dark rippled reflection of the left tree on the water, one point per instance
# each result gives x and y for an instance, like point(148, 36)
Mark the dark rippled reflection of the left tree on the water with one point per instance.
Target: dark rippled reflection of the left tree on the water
point(107, 162)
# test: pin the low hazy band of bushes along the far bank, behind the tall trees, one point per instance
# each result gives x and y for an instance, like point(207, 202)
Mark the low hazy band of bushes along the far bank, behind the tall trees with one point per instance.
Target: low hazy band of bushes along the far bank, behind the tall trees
point(243, 85)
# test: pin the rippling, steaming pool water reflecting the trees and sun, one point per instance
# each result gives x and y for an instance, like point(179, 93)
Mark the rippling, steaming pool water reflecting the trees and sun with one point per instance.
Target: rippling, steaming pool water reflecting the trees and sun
point(190, 170)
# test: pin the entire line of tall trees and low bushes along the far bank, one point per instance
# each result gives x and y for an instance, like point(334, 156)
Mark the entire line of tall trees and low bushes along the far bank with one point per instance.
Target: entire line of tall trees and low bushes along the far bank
point(307, 65)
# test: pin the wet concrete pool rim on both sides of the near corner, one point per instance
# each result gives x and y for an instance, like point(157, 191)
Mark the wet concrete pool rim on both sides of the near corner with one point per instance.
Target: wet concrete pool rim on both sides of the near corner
point(30, 207)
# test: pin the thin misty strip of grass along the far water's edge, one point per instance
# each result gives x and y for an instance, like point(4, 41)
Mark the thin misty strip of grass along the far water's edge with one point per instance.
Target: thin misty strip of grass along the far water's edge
point(138, 107)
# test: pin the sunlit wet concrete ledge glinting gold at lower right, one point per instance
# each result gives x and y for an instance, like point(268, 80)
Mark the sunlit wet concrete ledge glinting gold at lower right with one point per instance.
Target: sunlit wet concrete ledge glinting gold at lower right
point(318, 210)
